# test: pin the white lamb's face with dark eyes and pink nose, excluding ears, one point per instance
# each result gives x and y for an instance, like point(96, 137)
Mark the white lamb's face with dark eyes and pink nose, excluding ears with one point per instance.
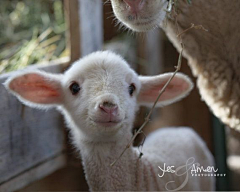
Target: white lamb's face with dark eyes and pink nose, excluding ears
point(100, 94)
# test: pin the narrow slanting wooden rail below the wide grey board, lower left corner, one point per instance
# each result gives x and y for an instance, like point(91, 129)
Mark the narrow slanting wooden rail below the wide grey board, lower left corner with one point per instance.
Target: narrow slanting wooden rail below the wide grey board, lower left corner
point(36, 173)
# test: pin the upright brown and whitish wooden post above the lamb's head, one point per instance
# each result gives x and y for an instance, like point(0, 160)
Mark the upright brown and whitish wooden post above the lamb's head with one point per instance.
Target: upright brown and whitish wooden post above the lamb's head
point(85, 20)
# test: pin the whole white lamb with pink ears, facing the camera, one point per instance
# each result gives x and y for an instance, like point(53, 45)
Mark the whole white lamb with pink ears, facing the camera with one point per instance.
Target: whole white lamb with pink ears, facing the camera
point(99, 96)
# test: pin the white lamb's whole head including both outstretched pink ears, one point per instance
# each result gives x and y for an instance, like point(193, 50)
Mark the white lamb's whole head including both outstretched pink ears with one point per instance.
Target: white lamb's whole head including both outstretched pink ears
point(98, 95)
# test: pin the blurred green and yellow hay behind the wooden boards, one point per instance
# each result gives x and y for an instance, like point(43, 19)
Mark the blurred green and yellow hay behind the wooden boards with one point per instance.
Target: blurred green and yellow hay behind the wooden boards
point(31, 31)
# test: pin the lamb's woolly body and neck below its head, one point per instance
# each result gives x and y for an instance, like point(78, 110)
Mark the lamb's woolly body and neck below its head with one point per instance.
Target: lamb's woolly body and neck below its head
point(170, 146)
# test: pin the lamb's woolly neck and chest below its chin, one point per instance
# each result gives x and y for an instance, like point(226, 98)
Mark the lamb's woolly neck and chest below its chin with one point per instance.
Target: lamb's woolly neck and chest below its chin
point(97, 158)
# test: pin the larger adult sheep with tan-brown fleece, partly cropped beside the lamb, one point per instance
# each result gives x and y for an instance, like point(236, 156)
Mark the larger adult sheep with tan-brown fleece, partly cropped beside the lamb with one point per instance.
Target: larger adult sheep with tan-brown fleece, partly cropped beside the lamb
point(213, 56)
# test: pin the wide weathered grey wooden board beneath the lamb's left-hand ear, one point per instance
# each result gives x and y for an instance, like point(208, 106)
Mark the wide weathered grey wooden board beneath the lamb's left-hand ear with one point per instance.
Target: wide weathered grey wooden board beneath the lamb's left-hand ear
point(27, 136)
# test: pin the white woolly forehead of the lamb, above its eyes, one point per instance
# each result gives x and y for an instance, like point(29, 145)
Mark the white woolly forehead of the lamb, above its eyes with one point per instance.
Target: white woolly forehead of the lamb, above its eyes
point(99, 62)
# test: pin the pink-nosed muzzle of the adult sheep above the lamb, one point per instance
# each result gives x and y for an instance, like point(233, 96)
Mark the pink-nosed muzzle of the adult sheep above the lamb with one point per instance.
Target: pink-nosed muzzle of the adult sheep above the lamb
point(140, 15)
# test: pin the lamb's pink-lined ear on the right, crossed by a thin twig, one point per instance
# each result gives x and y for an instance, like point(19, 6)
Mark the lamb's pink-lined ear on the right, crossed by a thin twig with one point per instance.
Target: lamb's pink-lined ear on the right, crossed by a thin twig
point(179, 88)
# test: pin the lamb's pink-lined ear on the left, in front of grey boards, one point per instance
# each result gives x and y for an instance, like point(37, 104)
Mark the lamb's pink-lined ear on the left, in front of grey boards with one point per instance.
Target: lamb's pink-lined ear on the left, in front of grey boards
point(36, 89)
